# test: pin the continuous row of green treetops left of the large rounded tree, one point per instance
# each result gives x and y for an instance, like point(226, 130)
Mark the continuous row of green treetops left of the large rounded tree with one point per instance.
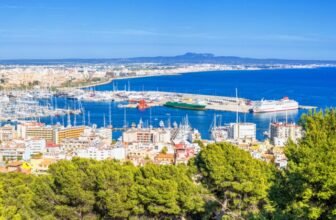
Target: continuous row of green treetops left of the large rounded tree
point(89, 189)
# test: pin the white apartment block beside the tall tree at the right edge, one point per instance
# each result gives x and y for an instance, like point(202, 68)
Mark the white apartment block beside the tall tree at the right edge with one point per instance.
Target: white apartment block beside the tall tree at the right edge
point(280, 133)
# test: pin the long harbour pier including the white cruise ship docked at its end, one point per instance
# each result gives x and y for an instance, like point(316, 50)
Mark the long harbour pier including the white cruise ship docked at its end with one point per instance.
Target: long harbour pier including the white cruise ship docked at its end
point(147, 99)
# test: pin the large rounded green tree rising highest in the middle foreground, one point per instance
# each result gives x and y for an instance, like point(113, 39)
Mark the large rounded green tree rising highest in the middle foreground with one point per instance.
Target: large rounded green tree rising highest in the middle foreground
point(239, 183)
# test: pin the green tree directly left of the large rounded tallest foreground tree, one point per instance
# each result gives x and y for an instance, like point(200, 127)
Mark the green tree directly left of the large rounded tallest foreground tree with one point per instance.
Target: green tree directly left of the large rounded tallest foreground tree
point(168, 191)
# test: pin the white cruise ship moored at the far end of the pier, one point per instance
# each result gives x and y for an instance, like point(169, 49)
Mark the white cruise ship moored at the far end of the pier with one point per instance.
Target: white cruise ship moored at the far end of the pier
point(284, 104)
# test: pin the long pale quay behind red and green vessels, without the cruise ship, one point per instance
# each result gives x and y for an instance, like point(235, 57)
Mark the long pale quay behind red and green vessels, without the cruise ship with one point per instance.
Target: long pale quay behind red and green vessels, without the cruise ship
point(159, 98)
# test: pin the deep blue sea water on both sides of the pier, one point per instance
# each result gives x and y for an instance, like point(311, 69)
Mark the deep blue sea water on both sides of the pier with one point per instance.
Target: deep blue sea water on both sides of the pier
point(315, 87)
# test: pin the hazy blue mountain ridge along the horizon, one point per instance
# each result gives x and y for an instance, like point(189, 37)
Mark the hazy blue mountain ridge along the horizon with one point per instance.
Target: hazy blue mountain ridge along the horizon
point(187, 58)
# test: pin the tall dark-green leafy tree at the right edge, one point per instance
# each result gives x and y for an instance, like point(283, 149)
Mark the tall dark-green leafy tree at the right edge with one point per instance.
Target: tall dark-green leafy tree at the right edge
point(307, 188)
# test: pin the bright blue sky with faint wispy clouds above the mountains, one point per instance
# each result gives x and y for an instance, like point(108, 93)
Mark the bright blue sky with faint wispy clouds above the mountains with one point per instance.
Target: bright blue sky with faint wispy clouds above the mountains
point(47, 29)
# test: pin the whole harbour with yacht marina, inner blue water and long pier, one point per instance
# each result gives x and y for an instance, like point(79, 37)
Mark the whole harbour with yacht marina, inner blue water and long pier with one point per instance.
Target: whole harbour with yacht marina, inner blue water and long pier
point(88, 106)
